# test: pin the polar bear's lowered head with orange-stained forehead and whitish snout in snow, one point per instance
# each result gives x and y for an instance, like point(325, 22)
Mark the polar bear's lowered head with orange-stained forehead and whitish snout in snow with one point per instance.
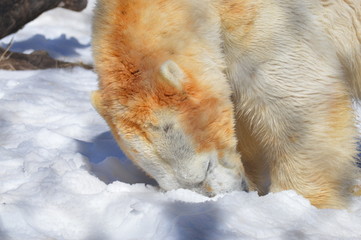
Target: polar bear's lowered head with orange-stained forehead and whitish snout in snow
point(177, 129)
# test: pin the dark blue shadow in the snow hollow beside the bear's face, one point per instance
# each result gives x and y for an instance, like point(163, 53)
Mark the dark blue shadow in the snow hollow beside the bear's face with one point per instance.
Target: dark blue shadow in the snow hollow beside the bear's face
point(109, 163)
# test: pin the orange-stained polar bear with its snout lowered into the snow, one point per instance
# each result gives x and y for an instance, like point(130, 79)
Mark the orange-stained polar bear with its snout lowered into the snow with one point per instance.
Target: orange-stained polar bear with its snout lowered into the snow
point(222, 95)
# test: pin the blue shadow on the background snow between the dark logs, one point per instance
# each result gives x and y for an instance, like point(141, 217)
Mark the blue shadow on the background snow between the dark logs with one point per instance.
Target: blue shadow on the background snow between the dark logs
point(59, 47)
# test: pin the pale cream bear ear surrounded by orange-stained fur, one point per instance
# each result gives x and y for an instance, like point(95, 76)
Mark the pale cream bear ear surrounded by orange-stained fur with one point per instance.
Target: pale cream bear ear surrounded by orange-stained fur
point(172, 73)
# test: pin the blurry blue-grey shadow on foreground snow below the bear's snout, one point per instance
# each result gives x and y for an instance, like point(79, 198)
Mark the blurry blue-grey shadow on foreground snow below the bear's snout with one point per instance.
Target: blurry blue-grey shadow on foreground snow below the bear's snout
point(196, 221)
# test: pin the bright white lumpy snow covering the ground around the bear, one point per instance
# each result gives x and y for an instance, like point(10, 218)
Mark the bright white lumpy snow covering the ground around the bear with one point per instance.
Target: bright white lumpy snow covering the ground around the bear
point(62, 175)
